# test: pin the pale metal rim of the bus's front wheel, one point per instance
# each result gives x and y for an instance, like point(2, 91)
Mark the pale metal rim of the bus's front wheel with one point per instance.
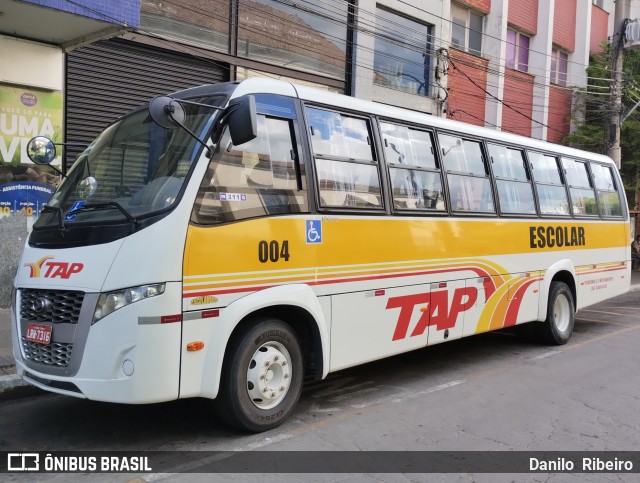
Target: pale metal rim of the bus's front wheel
point(269, 375)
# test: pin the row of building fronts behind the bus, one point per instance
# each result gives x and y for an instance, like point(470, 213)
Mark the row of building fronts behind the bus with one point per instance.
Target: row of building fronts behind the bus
point(71, 68)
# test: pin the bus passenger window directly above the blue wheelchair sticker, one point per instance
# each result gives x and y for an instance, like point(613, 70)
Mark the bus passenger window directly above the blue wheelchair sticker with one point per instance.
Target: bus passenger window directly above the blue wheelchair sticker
point(346, 170)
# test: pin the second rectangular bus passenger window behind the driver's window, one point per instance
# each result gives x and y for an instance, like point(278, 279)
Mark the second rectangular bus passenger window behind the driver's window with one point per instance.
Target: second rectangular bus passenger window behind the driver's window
point(416, 182)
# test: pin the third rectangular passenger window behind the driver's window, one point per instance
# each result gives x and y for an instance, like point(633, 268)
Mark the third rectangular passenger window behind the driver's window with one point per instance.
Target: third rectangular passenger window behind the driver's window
point(467, 175)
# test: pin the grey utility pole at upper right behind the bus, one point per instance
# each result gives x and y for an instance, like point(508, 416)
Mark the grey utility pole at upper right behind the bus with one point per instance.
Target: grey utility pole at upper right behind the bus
point(615, 109)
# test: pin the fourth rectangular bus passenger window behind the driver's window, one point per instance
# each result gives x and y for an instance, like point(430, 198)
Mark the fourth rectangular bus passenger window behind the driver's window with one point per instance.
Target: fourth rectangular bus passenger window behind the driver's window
point(515, 193)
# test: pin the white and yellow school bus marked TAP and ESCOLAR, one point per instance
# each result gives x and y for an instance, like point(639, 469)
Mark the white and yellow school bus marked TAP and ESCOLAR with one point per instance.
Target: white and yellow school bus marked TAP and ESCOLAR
point(231, 240)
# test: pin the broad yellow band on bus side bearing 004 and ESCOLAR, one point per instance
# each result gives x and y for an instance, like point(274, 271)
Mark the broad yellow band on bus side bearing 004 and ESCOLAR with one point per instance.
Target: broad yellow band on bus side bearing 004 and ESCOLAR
point(233, 248)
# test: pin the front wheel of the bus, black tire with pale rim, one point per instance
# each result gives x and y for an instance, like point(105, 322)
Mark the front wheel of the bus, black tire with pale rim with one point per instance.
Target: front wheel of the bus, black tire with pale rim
point(261, 377)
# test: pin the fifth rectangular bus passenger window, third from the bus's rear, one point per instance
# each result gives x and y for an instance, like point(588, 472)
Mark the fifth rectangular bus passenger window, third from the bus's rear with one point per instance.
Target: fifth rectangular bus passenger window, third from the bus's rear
point(552, 195)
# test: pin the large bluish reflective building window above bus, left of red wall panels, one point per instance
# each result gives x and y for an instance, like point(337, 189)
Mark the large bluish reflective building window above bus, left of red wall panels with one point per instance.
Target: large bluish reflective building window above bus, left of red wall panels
point(403, 53)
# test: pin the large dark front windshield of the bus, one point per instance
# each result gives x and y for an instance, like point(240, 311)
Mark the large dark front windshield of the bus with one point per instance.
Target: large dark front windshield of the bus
point(133, 169)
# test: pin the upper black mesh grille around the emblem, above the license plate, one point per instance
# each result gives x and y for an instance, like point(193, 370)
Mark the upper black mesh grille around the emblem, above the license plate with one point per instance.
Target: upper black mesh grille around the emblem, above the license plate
point(64, 306)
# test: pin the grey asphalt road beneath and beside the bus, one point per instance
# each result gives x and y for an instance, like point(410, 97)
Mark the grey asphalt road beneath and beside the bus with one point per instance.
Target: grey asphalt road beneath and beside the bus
point(491, 392)
